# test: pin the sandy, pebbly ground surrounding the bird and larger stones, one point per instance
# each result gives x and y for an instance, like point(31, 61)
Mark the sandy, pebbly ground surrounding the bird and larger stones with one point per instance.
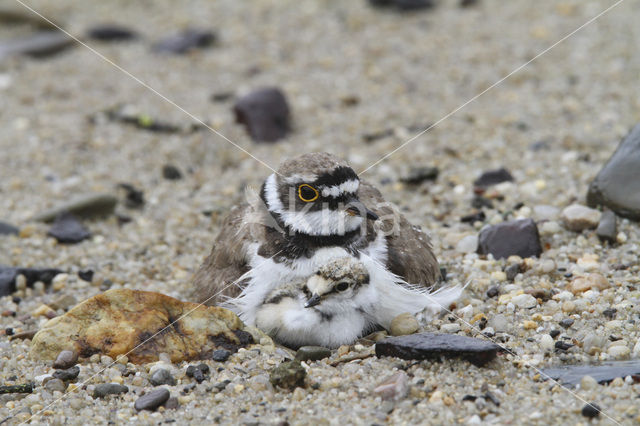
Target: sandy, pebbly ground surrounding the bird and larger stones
point(406, 70)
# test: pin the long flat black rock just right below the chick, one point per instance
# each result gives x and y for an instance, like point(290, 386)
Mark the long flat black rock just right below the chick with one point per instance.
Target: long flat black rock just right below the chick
point(433, 346)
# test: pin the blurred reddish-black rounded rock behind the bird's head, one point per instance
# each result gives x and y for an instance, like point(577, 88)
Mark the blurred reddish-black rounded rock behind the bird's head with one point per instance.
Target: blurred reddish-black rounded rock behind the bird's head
point(265, 114)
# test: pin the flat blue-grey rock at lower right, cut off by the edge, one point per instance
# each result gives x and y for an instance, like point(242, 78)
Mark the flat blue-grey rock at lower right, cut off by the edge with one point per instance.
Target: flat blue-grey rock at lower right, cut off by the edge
point(603, 373)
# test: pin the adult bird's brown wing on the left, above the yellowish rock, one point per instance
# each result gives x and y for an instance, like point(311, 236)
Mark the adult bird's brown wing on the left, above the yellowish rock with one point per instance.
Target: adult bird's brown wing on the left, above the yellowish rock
point(226, 262)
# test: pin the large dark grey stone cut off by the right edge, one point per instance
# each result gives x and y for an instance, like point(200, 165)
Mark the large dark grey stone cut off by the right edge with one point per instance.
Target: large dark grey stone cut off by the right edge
point(616, 185)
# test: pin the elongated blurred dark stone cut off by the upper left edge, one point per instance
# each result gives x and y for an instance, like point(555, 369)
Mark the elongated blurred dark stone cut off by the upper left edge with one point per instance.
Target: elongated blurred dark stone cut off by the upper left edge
point(37, 45)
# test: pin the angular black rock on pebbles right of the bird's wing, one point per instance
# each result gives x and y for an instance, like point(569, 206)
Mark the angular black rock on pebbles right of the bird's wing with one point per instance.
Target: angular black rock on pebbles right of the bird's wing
point(517, 237)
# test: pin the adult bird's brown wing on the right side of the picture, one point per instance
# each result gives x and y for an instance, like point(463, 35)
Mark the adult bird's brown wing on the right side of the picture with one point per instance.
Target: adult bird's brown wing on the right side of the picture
point(410, 255)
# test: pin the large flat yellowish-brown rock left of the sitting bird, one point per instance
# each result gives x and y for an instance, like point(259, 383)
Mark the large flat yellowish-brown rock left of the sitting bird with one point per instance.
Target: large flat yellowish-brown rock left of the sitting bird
point(119, 321)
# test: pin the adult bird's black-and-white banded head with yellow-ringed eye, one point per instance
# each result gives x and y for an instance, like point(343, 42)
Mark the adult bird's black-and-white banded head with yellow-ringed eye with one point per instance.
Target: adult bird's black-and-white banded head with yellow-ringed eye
point(316, 194)
